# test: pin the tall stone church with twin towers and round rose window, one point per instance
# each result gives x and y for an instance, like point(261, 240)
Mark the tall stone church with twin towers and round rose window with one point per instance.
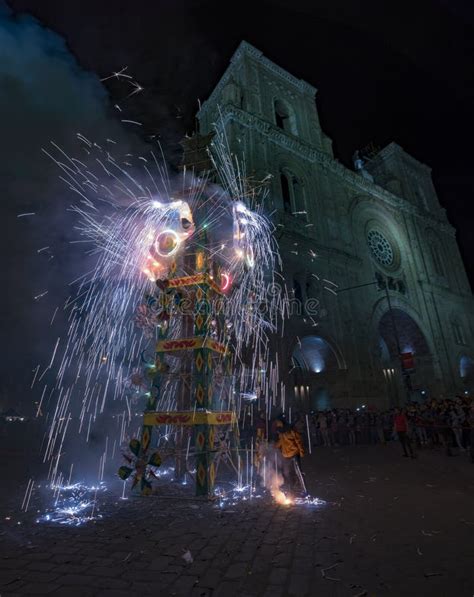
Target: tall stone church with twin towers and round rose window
point(369, 255)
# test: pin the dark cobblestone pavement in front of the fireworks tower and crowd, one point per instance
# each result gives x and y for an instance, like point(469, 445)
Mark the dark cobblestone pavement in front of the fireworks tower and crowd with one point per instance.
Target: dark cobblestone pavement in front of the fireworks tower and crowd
point(391, 526)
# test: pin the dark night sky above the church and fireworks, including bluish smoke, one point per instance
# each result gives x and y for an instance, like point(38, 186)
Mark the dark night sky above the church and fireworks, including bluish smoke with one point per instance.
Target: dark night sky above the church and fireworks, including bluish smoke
point(384, 71)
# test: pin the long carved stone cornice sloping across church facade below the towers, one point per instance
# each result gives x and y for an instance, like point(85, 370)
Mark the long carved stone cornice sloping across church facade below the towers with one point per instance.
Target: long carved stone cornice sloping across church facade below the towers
point(309, 153)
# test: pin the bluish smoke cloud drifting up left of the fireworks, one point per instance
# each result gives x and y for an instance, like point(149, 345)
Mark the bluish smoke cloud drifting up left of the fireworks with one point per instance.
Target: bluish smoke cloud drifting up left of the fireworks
point(45, 96)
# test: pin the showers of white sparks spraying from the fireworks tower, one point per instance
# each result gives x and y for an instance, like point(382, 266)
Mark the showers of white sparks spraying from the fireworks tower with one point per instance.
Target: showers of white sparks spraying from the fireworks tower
point(137, 232)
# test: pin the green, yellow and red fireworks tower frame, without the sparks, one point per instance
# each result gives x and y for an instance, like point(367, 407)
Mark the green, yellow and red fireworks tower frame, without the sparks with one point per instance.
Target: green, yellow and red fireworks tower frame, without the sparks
point(196, 405)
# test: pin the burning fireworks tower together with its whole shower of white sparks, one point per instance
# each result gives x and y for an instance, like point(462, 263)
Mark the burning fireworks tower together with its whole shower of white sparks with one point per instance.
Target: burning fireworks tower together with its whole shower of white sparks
point(169, 314)
